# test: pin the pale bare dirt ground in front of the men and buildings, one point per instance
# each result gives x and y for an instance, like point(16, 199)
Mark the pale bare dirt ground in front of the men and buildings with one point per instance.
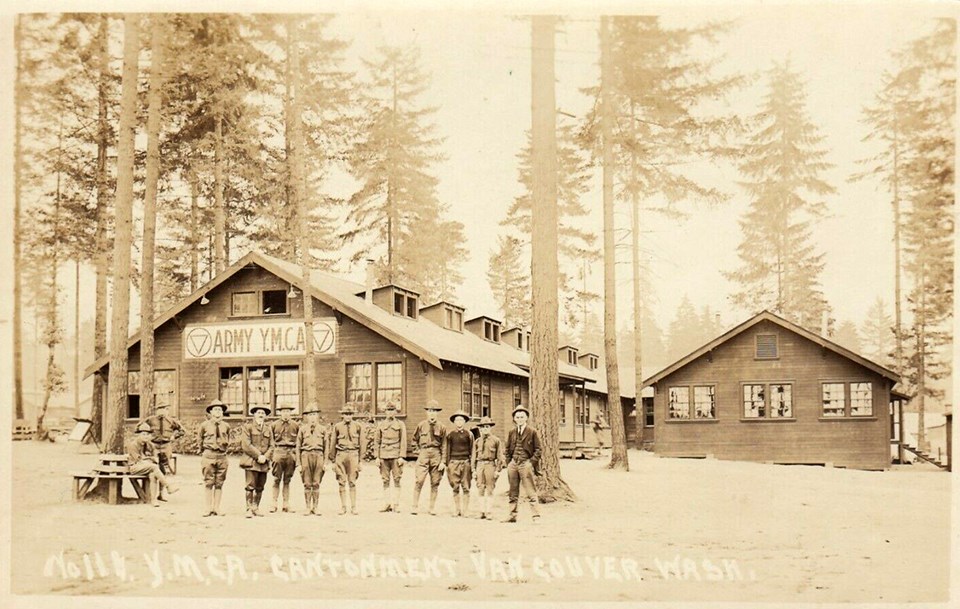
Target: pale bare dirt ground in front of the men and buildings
point(669, 530)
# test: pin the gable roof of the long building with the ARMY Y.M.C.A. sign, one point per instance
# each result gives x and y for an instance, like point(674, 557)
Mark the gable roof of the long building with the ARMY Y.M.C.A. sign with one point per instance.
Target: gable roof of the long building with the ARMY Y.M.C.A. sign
point(430, 342)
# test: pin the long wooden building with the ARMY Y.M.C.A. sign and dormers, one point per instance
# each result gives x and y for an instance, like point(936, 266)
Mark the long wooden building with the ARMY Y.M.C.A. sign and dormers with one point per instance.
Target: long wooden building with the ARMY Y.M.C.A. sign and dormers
point(241, 338)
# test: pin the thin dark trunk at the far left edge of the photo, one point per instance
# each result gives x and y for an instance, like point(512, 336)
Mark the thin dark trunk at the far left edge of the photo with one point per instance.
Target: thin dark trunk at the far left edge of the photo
point(17, 177)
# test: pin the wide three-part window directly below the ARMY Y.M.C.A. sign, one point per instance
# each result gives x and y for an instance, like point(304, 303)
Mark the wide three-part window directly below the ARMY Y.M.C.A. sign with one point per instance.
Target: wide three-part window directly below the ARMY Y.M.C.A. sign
point(242, 388)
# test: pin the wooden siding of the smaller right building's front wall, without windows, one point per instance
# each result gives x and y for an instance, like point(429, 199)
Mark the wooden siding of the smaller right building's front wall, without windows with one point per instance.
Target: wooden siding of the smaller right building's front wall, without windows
point(860, 442)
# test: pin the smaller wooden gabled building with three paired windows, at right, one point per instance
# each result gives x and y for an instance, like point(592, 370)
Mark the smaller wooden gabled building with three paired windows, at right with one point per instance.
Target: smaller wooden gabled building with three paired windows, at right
point(771, 391)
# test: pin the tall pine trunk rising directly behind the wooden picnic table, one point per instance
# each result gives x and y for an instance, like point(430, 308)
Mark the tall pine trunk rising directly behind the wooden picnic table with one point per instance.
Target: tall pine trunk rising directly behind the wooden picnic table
point(120, 302)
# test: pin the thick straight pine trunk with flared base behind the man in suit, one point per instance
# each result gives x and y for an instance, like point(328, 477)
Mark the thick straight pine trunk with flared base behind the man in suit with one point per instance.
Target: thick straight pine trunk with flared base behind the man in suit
point(544, 385)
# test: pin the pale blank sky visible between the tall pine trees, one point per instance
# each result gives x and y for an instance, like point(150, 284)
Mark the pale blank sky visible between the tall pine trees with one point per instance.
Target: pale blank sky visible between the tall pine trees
point(480, 68)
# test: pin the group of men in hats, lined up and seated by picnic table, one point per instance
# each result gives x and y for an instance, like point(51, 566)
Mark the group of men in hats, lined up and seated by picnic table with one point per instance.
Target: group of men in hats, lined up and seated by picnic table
point(285, 445)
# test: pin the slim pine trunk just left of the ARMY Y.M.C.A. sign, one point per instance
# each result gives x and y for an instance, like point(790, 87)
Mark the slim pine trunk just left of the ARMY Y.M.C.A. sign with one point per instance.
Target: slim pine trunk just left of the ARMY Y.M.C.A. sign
point(157, 42)
